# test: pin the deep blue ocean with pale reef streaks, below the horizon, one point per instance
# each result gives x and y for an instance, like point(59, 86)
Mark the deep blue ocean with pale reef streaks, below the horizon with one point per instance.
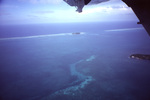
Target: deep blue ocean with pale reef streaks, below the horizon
point(49, 62)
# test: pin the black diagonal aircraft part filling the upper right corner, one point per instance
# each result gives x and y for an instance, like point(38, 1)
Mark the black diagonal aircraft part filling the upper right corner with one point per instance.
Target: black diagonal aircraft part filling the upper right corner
point(142, 10)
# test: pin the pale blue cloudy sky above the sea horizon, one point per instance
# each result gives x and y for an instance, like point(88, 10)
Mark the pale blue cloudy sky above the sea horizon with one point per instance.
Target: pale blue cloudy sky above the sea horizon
point(57, 11)
